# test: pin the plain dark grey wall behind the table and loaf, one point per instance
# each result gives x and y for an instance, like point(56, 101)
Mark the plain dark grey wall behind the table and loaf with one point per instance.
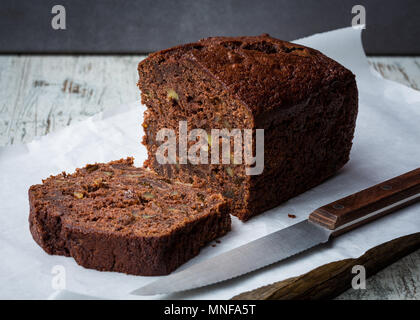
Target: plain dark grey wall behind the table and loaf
point(118, 26)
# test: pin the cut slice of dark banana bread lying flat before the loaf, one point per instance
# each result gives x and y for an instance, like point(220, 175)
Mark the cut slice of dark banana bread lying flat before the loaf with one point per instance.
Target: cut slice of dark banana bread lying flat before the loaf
point(116, 217)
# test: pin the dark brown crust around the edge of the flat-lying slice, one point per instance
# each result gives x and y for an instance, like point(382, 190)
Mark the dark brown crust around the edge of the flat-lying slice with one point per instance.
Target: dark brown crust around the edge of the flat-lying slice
point(57, 225)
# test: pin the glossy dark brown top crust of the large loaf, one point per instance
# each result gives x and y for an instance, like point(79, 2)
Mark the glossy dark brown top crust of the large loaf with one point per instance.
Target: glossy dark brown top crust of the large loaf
point(263, 72)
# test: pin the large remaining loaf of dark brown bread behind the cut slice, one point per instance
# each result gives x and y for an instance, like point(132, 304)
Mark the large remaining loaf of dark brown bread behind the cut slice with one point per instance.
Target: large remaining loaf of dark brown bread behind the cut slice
point(306, 103)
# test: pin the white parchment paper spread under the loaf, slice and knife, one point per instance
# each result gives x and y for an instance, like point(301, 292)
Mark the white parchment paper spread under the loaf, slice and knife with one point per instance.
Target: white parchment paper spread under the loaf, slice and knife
point(387, 143)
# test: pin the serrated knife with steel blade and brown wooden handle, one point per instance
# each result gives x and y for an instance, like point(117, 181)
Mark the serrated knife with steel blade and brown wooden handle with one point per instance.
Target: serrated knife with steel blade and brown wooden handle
point(323, 224)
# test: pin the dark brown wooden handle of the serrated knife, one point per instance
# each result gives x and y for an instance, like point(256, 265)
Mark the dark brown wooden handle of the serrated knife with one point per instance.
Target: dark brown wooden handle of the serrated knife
point(369, 204)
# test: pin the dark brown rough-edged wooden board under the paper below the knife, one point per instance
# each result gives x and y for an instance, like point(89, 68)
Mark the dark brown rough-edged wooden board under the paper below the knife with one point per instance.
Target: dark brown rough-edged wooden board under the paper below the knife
point(328, 280)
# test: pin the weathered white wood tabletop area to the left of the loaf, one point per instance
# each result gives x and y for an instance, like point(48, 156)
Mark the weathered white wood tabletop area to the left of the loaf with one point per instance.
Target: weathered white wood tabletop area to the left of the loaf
point(43, 93)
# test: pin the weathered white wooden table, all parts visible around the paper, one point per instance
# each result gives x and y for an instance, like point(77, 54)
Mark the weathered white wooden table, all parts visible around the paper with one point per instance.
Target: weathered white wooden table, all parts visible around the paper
point(40, 94)
